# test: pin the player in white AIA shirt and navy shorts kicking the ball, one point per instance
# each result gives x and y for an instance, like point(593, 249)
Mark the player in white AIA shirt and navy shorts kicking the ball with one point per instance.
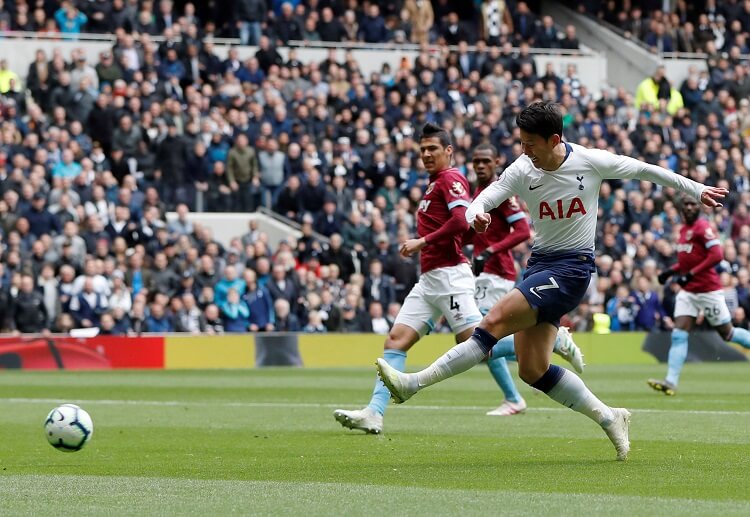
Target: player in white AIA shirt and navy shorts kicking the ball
point(560, 184)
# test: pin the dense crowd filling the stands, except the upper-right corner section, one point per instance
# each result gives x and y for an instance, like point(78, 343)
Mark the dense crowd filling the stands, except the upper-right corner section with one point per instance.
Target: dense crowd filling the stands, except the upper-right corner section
point(103, 146)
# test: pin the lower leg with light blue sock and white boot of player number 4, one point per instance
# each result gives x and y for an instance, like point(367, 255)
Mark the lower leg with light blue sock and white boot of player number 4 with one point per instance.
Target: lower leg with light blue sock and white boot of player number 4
point(370, 418)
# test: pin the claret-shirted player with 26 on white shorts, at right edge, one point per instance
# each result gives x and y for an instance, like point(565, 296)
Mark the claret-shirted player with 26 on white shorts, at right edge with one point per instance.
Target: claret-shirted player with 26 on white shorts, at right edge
point(698, 252)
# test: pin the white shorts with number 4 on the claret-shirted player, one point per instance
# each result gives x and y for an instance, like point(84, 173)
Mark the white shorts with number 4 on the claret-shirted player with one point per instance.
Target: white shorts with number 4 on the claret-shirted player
point(446, 291)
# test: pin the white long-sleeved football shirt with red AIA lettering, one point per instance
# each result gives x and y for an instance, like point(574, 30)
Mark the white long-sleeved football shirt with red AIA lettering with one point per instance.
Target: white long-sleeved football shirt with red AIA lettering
point(563, 204)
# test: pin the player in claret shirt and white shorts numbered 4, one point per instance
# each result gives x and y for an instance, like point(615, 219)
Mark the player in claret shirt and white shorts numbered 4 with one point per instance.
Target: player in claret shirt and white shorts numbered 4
point(446, 283)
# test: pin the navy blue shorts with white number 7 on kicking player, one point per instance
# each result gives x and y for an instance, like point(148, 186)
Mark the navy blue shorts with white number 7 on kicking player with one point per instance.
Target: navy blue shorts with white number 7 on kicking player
point(555, 284)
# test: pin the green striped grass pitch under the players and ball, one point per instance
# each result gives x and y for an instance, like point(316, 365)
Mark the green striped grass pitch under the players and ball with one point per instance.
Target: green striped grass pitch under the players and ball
point(264, 442)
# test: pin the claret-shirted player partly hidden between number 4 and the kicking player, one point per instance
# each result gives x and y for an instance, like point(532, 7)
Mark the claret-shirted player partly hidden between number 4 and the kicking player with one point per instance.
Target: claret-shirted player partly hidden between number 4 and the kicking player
point(493, 262)
